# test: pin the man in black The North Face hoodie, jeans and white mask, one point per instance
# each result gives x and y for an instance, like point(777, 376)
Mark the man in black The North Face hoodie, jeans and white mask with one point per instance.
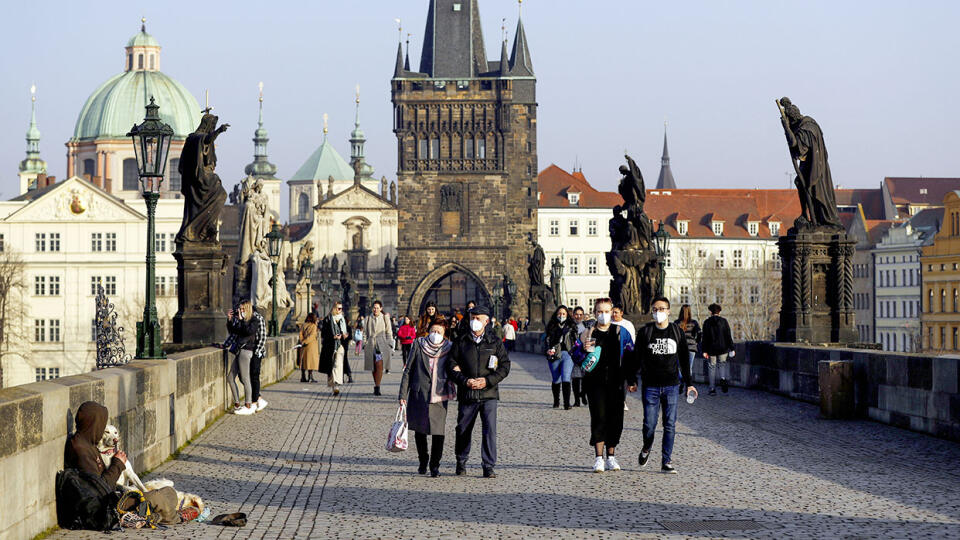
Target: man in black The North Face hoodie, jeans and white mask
point(660, 347)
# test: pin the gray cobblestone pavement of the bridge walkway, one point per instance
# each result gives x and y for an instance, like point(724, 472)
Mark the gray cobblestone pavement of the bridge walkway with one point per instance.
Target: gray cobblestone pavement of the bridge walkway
point(312, 465)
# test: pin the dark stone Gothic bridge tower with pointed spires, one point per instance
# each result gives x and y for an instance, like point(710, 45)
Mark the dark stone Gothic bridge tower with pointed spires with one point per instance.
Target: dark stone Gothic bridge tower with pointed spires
point(466, 130)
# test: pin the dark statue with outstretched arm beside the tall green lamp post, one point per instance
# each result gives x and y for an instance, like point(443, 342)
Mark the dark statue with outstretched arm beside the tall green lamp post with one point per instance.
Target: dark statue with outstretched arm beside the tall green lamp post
point(202, 190)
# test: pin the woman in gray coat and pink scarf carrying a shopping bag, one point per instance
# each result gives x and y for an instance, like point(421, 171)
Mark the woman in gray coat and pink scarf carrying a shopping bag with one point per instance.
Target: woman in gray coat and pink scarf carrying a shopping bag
point(425, 390)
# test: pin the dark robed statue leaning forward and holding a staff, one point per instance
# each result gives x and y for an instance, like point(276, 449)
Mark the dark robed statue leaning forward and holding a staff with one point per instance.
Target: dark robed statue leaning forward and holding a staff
point(808, 153)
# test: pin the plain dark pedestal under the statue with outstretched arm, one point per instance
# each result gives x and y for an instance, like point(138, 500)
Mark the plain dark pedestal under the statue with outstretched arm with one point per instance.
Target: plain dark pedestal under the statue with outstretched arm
point(201, 316)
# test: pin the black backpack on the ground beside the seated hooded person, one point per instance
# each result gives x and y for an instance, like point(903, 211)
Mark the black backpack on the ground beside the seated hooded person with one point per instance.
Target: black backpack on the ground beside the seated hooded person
point(85, 501)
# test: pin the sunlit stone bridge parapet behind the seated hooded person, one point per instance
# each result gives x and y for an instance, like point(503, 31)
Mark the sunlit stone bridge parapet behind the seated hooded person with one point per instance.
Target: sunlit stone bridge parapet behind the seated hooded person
point(158, 406)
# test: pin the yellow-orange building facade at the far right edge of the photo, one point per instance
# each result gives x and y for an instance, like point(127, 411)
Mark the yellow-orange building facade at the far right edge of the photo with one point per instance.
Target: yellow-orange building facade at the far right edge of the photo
point(940, 272)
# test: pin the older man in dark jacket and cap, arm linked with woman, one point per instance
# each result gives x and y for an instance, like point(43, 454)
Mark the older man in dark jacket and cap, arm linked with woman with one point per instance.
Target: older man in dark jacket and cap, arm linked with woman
point(480, 362)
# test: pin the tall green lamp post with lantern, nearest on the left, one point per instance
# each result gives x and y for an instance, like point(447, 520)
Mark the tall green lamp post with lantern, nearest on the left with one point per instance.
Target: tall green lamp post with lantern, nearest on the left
point(151, 144)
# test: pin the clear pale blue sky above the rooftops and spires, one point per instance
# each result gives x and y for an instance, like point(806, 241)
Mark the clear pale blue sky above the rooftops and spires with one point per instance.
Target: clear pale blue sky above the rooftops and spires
point(878, 76)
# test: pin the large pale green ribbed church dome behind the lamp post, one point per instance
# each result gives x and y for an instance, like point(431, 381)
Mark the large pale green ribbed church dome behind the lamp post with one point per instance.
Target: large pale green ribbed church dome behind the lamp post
point(118, 104)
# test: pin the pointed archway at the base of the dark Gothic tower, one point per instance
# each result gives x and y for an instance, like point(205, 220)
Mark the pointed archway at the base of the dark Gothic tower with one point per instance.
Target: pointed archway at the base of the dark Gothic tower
point(450, 286)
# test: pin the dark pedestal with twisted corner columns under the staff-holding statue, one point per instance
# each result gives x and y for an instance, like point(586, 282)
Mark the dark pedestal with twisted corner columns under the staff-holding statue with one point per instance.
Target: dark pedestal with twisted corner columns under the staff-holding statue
point(817, 287)
